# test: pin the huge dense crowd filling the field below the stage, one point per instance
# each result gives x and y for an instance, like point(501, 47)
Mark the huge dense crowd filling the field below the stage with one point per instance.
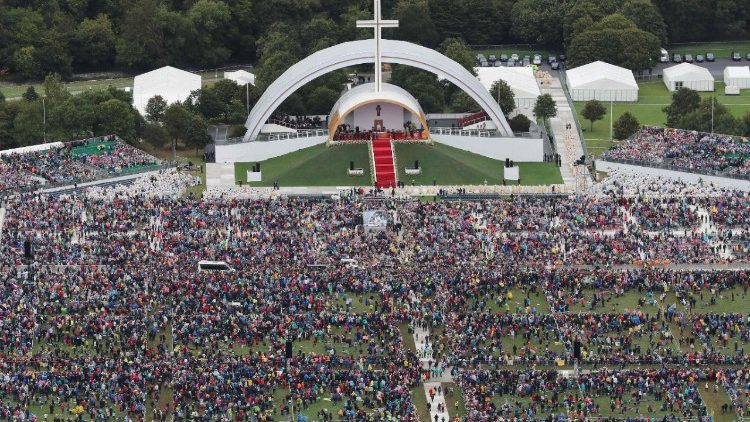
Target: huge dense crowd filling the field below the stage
point(115, 319)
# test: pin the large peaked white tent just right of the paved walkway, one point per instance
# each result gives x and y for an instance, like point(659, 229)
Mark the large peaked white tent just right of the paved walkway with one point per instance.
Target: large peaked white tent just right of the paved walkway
point(602, 81)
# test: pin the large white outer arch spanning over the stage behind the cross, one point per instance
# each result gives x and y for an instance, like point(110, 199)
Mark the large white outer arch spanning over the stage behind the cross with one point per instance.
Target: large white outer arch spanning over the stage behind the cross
point(358, 52)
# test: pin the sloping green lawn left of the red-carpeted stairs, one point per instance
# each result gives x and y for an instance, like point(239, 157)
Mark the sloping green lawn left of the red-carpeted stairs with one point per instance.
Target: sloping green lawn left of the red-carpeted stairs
point(319, 165)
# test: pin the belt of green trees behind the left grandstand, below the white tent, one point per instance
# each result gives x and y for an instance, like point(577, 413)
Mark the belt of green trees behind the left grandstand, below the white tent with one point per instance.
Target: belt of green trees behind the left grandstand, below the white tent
point(57, 115)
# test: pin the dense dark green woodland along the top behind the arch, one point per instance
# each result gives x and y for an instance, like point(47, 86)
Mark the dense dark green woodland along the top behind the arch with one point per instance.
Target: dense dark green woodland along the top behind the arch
point(40, 37)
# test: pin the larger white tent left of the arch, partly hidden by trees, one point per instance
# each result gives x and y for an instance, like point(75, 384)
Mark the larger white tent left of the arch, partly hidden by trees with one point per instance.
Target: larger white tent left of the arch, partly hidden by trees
point(171, 83)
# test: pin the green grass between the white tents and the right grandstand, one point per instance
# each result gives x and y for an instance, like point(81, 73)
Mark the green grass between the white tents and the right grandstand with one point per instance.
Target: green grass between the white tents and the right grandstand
point(652, 98)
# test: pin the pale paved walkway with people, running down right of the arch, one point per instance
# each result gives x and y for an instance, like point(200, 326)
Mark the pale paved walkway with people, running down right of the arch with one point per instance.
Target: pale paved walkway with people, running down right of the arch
point(567, 142)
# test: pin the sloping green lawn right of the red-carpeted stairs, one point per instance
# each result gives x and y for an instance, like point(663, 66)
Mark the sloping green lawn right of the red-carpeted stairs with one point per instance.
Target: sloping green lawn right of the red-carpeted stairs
point(451, 166)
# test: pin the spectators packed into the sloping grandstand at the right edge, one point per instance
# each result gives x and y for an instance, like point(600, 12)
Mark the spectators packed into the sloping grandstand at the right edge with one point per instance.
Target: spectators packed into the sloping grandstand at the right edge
point(684, 149)
